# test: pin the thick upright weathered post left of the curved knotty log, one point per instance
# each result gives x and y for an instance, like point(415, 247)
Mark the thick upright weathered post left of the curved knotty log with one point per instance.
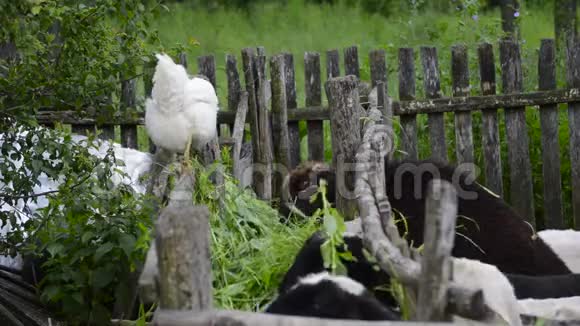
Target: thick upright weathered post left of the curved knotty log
point(345, 126)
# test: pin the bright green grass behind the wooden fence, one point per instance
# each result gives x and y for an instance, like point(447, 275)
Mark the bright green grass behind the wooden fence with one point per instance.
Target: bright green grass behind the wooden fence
point(296, 28)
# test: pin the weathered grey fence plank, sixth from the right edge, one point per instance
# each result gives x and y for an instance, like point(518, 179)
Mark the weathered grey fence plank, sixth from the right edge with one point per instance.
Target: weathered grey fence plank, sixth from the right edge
point(432, 85)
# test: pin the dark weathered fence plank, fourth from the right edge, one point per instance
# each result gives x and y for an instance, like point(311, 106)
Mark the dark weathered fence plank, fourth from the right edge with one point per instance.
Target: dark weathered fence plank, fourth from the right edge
point(489, 121)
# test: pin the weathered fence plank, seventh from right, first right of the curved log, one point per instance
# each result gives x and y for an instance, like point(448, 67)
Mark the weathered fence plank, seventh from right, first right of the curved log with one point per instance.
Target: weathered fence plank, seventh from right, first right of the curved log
point(407, 93)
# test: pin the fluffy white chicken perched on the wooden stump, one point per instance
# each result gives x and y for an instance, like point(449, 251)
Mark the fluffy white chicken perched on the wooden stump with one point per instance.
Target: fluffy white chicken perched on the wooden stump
point(181, 111)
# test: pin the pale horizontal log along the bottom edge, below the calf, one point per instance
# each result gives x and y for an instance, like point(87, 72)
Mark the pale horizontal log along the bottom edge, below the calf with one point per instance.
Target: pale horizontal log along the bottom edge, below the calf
point(242, 318)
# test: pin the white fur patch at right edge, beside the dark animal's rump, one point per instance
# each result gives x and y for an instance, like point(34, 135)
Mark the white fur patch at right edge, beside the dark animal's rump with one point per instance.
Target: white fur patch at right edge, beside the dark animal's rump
point(566, 244)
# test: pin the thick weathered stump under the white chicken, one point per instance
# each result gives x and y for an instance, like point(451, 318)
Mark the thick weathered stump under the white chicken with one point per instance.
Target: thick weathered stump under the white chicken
point(183, 251)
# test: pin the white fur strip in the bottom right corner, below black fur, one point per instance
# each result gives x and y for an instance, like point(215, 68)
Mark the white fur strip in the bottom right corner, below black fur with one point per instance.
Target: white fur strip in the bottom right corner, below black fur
point(557, 309)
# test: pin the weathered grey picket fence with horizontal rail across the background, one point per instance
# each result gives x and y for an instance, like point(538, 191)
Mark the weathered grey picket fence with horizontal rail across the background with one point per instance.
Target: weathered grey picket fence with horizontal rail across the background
point(276, 146)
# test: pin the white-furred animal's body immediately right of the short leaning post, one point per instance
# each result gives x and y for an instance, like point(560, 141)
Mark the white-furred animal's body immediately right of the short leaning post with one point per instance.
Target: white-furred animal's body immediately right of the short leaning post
point(497, 291)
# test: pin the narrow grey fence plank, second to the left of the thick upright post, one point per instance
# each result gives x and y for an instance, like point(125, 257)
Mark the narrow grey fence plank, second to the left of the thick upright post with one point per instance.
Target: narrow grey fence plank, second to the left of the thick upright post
point(291, 105)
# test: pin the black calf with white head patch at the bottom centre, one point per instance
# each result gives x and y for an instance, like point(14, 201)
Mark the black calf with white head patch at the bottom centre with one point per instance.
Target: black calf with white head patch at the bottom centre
point(328, 296)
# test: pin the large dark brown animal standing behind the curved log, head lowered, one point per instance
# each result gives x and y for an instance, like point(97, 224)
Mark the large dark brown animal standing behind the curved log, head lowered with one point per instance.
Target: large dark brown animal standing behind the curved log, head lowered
point(489, 230)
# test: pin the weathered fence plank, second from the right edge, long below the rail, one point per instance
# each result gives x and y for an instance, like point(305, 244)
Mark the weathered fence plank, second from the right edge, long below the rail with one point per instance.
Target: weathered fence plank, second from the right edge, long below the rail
point(550, 140)
